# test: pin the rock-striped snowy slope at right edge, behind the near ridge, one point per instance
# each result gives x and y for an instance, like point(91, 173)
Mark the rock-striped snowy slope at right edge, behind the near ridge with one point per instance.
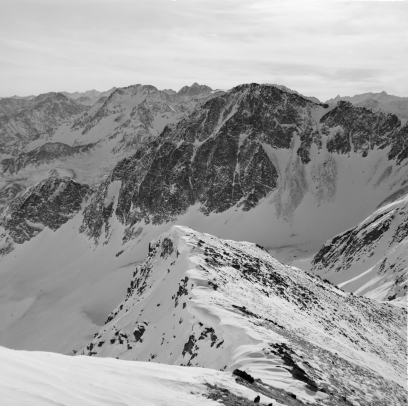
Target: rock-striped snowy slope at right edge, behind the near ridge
point(371, 259)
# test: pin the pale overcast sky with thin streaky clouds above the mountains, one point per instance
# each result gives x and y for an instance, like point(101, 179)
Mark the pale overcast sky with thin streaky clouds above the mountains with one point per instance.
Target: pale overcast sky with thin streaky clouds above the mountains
point(317, 48)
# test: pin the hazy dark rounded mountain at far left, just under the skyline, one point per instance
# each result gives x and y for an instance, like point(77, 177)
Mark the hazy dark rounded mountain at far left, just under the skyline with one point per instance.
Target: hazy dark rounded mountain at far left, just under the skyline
point(38, 119)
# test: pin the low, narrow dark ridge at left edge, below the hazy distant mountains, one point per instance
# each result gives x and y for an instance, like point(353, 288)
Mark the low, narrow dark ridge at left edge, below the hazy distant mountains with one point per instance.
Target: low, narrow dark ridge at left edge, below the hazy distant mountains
point(42, 155)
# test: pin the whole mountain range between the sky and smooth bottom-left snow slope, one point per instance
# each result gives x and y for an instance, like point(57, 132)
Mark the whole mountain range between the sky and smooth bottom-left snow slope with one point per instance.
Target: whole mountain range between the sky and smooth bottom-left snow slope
point(253, 231)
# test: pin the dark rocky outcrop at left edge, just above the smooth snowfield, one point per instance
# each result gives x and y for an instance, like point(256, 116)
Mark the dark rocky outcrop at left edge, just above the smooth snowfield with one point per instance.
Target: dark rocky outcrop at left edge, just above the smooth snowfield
point(50, 203)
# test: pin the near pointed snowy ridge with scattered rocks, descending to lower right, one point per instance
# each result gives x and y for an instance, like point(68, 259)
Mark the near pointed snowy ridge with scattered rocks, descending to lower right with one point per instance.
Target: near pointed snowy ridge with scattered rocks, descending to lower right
point(201, 301)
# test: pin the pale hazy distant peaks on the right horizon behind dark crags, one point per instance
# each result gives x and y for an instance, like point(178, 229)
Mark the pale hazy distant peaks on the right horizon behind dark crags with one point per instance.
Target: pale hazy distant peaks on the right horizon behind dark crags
point(377, 102)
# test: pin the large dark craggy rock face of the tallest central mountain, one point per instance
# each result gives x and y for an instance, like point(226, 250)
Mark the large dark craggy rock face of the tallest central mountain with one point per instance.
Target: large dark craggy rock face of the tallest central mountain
point(215, 157)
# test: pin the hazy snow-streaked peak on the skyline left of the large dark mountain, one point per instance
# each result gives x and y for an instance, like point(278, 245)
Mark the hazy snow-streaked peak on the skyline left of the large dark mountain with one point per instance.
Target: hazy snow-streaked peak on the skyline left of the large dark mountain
point(138, 110)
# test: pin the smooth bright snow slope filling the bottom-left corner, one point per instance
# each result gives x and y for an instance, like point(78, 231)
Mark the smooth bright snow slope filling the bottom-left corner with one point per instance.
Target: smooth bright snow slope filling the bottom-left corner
point(47, 379)
